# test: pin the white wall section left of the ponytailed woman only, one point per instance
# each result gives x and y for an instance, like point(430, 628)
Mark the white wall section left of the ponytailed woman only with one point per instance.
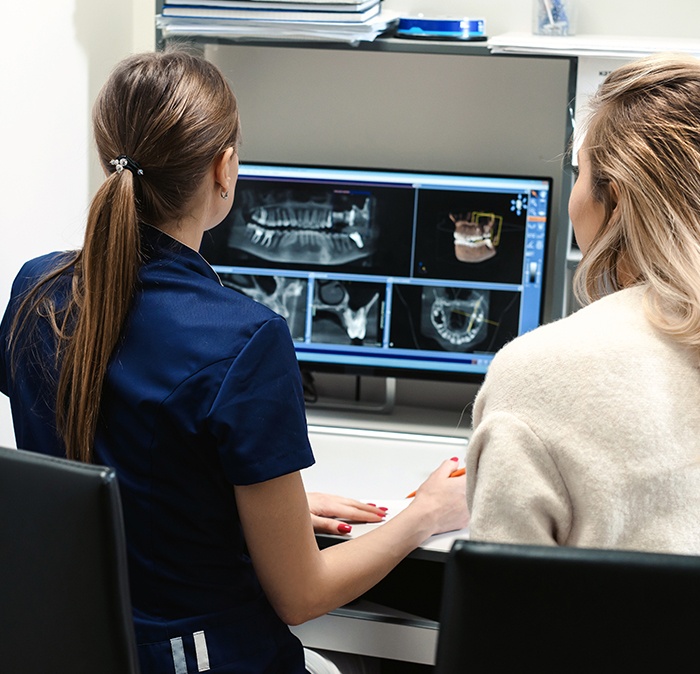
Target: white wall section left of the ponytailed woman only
point(55, 57)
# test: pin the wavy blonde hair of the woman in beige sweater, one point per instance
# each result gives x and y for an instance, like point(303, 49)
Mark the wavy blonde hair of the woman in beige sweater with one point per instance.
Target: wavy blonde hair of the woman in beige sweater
point(643, 145)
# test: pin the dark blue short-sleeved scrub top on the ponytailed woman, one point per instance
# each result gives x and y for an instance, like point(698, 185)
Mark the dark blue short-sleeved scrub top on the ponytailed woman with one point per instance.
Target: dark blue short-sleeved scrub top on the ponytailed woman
point(203, 392)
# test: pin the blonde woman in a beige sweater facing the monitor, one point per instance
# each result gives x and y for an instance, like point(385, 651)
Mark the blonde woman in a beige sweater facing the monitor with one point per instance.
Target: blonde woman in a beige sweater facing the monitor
point(587, 431)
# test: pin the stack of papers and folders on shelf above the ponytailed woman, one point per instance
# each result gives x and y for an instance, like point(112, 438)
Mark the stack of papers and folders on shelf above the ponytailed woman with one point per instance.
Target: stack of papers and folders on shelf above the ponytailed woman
point(344, 20)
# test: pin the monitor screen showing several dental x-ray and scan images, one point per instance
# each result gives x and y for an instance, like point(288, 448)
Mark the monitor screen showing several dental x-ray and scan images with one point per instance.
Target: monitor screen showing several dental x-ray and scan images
point(388, 272)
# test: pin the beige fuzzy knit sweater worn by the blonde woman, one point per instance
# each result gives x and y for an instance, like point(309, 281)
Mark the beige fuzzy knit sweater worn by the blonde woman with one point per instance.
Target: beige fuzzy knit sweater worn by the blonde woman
point(587, 433)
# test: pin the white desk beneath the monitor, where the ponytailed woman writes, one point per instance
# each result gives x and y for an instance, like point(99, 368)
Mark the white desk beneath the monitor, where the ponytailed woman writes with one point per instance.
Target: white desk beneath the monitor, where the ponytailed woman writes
point(382, 467)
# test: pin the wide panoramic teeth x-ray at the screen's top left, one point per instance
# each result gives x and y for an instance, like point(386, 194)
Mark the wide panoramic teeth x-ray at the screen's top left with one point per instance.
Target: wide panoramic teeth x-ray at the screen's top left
point(334, 229)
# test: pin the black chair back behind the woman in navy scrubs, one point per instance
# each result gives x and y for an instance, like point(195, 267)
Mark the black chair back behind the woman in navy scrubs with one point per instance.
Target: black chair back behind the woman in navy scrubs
point(64, 595)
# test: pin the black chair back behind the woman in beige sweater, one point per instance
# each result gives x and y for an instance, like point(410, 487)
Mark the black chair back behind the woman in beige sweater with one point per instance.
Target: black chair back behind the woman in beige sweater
point(513, 608)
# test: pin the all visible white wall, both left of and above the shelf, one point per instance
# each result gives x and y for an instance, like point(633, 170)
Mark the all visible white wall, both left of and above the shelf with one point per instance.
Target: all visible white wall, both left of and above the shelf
point(57, 53)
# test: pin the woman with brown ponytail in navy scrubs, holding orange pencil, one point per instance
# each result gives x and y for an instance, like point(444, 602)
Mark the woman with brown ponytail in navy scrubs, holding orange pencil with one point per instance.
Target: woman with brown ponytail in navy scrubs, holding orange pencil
point(130, 353)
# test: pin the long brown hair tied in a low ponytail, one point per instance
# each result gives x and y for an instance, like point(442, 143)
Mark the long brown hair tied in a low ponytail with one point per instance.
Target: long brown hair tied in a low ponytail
point(173, 114)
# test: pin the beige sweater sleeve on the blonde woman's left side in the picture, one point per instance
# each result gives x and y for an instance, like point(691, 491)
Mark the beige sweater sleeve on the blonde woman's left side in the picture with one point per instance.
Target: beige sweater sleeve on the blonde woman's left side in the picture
point(514, 490)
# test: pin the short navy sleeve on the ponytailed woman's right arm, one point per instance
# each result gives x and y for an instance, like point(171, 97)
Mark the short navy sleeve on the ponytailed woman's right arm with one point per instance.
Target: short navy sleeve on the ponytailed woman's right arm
point(258, 419)
